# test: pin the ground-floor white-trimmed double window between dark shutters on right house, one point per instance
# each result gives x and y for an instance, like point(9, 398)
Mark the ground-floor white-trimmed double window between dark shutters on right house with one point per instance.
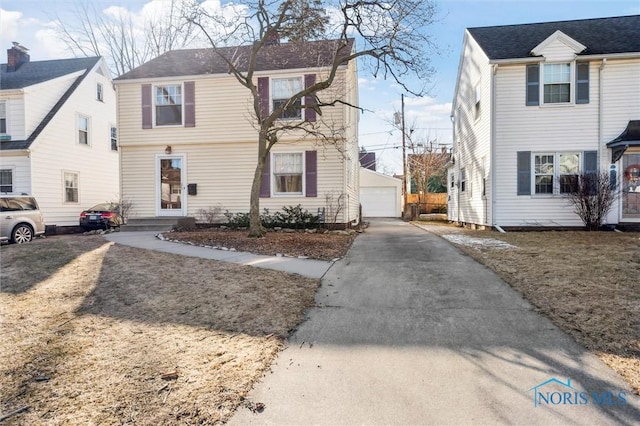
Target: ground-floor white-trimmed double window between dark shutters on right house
point(555, 173)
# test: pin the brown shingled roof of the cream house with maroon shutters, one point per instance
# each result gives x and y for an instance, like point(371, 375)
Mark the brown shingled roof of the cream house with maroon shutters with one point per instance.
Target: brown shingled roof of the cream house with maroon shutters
point(272, 57)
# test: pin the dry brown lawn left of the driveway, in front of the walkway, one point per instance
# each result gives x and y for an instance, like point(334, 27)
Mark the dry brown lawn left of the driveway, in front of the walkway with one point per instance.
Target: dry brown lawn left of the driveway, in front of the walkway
point(89, 329)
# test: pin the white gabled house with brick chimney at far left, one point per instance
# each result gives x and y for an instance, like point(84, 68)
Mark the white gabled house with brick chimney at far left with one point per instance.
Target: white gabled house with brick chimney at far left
point(58, 134)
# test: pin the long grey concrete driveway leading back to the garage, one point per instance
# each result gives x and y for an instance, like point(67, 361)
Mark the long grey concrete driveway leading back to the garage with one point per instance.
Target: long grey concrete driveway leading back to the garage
point(409, 330)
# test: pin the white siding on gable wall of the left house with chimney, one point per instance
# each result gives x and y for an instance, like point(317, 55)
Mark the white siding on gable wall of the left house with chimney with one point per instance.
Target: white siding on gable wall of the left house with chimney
point(57, 149)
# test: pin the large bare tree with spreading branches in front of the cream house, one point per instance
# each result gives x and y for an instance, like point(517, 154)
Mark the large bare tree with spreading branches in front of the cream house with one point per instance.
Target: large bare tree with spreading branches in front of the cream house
point(392, 43)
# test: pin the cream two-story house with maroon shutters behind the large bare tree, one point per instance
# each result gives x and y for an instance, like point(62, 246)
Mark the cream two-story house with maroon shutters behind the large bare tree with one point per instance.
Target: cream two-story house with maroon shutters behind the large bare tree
point(188, 137)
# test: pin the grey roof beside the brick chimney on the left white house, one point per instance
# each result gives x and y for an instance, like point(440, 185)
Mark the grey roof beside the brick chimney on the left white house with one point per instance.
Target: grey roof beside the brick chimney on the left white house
point(31, 73)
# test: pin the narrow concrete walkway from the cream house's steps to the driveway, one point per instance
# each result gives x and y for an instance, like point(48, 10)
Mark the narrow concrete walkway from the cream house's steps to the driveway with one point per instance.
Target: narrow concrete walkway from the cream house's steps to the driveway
point(147, 240)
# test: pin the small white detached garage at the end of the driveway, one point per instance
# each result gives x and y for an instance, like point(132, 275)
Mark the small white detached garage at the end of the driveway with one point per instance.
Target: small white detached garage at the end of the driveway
point(380, 195)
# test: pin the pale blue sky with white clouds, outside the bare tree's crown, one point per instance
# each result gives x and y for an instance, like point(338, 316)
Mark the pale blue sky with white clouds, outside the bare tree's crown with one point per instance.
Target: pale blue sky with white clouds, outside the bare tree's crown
point(29, 22)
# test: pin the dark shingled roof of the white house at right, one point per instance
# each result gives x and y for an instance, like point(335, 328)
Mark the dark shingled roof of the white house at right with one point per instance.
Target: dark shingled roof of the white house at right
point(601, 36)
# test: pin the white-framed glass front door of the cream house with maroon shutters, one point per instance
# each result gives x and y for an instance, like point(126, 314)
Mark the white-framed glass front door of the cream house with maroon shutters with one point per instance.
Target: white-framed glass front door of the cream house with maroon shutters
point(170, 186)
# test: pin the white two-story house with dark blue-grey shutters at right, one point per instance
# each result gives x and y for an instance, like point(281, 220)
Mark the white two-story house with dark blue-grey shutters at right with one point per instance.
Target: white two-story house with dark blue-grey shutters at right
point(534, 106)
